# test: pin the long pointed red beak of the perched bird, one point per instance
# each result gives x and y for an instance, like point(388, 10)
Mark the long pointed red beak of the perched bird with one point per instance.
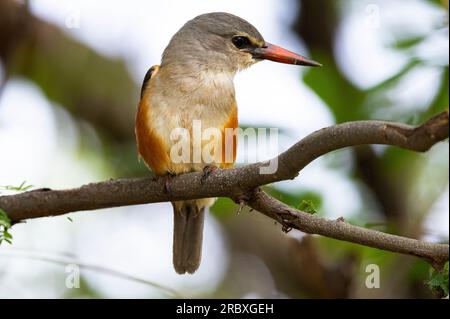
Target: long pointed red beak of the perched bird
point(278, 54)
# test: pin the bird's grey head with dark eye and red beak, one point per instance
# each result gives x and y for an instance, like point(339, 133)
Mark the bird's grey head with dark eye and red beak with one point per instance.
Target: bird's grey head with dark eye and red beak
point(224, 42)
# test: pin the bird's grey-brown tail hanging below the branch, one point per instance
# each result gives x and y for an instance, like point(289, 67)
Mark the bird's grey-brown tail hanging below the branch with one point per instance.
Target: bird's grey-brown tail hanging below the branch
point(189, 218)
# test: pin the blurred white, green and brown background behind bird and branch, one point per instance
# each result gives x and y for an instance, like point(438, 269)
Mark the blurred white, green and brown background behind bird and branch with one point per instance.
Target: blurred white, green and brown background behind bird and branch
point(70, 73)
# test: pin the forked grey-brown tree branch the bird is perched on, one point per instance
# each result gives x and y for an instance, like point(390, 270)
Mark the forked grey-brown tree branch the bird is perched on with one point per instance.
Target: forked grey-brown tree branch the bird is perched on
point(240, 183)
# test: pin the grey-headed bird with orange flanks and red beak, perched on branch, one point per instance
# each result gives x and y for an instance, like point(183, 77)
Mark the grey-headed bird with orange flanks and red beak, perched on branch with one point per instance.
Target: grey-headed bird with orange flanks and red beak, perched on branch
point(194, 82)
